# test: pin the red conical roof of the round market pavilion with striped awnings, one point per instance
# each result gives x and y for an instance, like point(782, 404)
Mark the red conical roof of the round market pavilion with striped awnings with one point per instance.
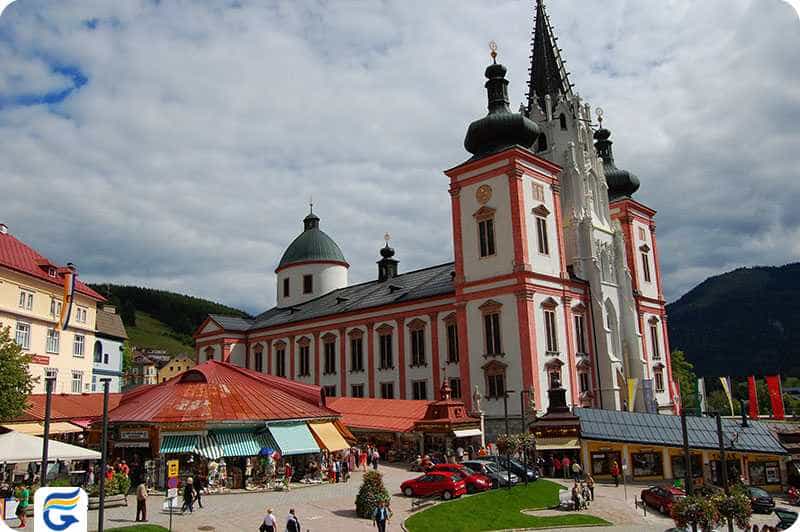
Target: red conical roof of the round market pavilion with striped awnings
point(218, 391)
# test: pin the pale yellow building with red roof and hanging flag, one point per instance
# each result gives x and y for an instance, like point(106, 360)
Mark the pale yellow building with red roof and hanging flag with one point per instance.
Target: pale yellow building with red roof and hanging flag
point(31, 299)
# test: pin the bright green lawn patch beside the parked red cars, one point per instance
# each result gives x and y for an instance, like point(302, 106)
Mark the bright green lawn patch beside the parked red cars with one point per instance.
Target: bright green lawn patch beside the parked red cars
point(499, 509)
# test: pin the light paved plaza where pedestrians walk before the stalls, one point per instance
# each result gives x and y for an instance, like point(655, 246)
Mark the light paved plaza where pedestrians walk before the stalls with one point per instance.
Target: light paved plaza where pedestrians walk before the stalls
point(331, 507)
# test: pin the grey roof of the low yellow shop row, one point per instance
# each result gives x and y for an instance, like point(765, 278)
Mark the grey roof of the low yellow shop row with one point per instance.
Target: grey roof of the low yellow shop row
point(661, 429)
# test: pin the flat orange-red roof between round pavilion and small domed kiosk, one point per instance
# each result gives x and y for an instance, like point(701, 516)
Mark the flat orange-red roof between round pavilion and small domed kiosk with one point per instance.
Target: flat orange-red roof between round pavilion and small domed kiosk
point(392, 415)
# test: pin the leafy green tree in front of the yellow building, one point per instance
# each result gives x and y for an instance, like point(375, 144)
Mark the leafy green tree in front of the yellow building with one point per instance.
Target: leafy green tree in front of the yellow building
point(16, 382)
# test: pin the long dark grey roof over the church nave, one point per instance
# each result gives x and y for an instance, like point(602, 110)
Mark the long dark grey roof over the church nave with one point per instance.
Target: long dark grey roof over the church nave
point(418, 284)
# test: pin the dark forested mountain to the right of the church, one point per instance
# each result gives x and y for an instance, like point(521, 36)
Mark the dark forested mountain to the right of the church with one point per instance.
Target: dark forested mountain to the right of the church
point(744, 322)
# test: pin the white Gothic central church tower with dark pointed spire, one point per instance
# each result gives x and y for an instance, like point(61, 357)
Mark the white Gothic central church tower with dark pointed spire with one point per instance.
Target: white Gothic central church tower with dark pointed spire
point(594, 241)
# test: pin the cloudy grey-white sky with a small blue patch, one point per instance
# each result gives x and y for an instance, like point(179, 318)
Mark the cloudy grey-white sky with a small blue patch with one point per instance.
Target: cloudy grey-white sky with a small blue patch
point(175, 144)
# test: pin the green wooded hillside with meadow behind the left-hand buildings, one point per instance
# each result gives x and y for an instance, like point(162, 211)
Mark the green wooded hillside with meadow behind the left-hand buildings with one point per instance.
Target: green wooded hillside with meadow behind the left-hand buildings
point(158, 319)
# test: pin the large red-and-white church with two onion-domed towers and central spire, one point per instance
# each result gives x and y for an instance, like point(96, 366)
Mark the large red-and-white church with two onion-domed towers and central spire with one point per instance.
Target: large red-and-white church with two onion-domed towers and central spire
point(555, 279)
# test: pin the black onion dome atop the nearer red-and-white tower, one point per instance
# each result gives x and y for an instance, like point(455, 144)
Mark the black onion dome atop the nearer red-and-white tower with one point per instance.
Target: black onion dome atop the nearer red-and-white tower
point(500, 129)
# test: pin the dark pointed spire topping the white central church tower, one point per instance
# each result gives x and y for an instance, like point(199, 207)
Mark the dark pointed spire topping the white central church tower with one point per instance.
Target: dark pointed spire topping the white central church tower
point(548, 74)
